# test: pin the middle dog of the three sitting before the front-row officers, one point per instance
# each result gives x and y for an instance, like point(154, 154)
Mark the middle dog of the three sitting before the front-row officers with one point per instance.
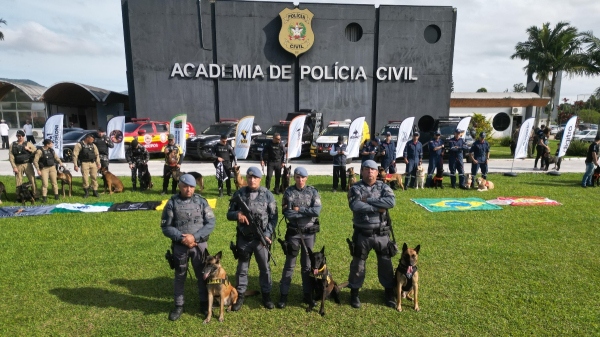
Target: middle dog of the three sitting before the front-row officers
point(325, 286)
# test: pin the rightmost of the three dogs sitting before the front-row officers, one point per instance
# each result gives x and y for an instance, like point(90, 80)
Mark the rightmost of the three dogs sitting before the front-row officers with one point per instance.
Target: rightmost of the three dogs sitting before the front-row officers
point(406, 277)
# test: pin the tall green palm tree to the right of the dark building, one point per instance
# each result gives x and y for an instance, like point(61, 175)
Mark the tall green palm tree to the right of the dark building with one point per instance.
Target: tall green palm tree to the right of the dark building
point(549, 51)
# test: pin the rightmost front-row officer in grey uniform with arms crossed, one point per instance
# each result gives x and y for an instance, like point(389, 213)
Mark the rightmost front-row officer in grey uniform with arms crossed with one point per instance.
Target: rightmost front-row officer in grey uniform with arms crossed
point(369, 199)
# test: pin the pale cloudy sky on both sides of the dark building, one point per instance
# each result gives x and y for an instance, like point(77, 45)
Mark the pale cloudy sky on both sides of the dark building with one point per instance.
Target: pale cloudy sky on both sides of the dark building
point(82, 40)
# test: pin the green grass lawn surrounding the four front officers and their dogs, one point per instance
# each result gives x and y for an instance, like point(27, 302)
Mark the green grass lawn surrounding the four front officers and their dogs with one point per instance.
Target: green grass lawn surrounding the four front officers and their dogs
point(516, 271)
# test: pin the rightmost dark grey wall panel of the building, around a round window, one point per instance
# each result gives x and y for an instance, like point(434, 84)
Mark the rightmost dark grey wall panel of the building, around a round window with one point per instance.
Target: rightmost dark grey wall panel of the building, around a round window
point(402, 43)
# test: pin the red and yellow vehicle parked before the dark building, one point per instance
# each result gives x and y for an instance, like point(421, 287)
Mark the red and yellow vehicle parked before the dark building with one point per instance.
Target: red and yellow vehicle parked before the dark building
point(151, 134)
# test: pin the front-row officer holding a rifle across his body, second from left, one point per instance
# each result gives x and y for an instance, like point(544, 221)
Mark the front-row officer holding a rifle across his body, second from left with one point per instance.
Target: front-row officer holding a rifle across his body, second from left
point(262, 201)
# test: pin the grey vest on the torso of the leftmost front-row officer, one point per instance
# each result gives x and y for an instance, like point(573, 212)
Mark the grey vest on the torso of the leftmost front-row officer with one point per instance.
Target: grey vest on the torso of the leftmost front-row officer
point(188, 214)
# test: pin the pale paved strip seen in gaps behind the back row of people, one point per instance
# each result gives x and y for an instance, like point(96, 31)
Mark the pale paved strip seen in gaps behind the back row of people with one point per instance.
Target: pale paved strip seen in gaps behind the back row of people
point(206, 168)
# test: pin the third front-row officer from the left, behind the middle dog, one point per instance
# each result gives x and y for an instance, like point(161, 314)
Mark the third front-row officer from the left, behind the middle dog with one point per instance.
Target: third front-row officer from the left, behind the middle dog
point(301, 206)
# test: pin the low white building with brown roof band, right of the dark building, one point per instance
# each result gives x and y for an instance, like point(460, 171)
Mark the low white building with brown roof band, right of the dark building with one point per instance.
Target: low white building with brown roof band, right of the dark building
point(504, 110)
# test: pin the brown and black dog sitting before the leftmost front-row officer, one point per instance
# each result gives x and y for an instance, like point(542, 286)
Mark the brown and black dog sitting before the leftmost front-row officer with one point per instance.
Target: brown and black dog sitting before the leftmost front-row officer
point(218, 286)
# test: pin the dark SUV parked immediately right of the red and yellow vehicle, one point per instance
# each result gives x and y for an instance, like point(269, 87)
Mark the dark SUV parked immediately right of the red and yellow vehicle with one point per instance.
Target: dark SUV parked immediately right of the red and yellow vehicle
point(200, 146)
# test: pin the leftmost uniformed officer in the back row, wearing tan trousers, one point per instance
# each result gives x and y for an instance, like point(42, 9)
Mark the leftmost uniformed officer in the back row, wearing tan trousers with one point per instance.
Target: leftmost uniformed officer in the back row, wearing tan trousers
point(19, 155)
